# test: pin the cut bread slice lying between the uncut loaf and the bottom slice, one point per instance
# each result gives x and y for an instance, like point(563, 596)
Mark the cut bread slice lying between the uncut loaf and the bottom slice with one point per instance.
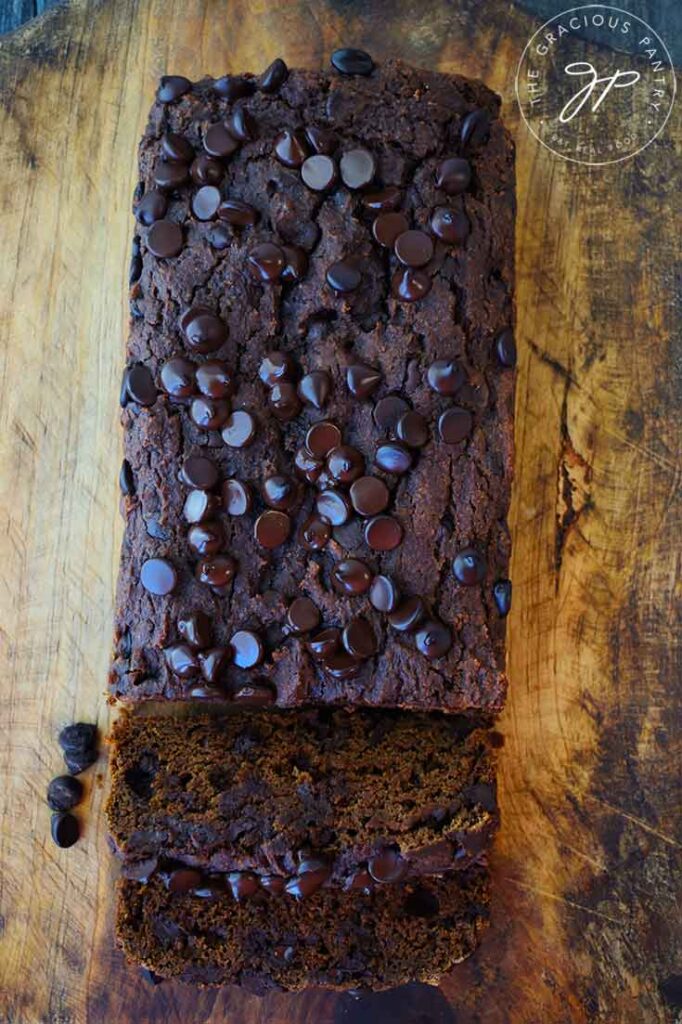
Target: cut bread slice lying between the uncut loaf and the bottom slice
point(374, 795)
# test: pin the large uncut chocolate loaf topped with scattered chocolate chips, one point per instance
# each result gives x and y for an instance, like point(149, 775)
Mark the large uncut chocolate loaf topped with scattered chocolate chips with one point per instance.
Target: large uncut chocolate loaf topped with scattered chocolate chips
point(443, 165)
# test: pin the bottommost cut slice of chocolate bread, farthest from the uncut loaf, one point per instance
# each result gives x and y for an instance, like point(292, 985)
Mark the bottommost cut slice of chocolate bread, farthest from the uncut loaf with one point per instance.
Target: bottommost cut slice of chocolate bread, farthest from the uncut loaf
point(335, 941)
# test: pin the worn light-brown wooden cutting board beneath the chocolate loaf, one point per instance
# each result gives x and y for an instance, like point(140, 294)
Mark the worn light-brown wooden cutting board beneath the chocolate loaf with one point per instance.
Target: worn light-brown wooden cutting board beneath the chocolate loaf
point(587, 866)
